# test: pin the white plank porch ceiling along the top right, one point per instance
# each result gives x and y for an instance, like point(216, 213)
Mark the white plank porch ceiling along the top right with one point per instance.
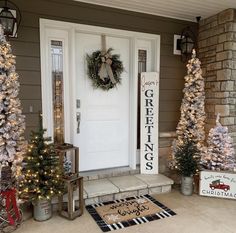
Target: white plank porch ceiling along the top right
point(179, 9)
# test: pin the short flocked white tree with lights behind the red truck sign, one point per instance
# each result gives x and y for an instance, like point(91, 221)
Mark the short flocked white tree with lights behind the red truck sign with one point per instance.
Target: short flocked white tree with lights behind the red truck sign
point(220, 152)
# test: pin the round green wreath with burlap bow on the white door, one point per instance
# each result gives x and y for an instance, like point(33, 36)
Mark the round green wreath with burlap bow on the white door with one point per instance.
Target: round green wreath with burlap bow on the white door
point(104, 69)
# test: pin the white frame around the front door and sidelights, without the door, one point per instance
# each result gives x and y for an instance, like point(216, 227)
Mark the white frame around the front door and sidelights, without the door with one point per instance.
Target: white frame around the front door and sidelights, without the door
point(65, 31)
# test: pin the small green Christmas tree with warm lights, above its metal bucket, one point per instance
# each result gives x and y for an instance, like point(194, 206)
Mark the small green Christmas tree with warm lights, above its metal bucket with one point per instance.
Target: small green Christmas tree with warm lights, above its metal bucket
point(42, 174)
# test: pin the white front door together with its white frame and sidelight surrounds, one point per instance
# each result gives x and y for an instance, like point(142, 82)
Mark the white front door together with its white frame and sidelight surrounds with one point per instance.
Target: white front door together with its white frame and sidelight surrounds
point(107, 135)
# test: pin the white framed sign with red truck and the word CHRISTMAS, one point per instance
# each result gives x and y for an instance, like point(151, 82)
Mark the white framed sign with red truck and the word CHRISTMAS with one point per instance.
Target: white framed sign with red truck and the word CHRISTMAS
point(218, 184)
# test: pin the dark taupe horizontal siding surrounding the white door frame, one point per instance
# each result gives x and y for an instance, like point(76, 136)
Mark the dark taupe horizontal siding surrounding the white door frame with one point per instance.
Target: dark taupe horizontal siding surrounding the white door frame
point(26, 48)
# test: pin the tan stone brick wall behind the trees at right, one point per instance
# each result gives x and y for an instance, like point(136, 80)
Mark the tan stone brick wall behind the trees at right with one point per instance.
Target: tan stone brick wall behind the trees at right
point(217, 52)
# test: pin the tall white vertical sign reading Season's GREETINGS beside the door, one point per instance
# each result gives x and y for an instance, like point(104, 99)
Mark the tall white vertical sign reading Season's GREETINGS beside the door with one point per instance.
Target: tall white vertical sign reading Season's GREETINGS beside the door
point(149, 122)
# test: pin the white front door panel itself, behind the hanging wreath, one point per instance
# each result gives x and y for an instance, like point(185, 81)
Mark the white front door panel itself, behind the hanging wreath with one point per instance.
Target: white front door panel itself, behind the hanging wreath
point(103, 130)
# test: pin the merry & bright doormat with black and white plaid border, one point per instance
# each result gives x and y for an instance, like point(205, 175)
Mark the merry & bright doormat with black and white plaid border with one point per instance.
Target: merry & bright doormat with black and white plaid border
point(114, 215)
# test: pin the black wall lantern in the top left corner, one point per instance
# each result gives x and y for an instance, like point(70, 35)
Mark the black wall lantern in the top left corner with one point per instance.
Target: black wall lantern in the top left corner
point(10, 18)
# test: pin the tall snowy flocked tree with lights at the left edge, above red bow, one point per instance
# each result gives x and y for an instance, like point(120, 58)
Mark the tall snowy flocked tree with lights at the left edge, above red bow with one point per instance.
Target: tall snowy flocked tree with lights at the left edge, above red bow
point(12, 123)
